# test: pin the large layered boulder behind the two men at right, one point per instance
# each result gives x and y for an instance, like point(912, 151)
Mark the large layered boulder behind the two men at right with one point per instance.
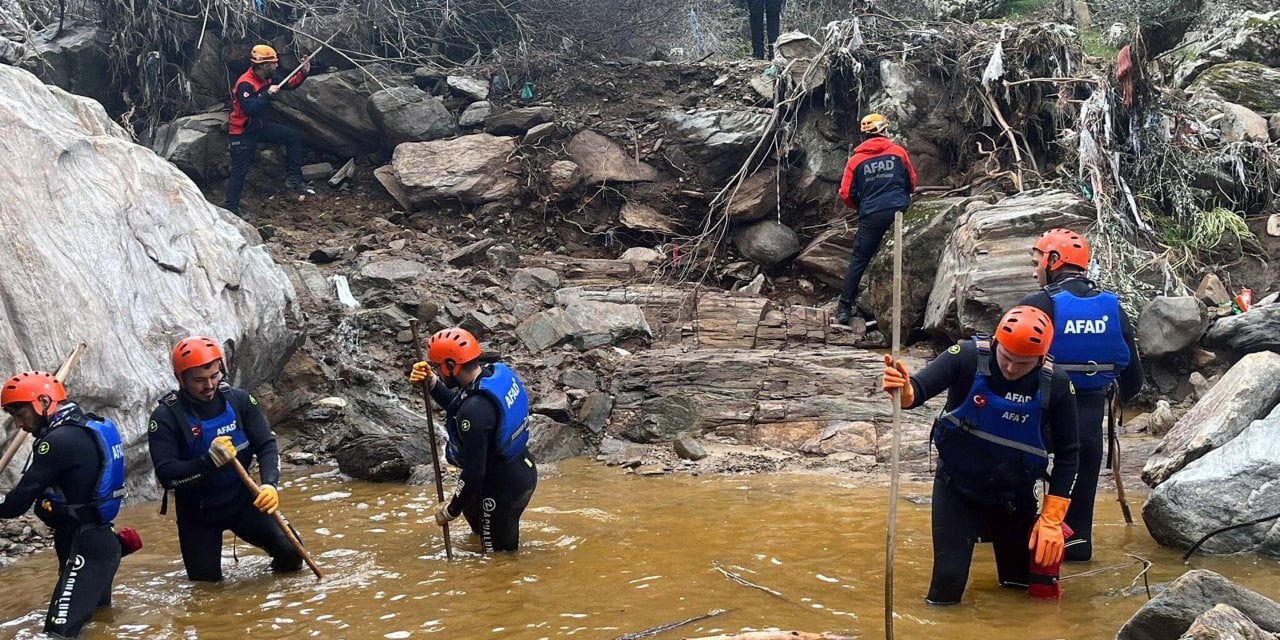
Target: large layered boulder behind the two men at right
point(986, 267)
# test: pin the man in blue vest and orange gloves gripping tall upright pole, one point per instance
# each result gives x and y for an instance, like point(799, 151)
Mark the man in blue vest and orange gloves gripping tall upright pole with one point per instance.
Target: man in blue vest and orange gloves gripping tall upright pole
point(1008, 408)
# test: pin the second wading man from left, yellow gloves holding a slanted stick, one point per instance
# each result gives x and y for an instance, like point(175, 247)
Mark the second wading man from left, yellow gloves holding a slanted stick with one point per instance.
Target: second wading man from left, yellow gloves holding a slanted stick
point(195, 433)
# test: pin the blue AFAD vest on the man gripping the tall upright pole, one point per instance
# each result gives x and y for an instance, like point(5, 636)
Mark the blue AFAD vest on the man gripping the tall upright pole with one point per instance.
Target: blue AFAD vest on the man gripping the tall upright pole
point(993, 447)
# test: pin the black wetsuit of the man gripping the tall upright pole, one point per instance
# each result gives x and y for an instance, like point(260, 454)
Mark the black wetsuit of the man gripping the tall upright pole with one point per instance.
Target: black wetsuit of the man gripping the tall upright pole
point(961, 520)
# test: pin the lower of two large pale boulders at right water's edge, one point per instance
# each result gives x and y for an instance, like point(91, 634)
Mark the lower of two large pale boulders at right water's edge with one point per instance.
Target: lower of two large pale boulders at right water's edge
point(1235, 483)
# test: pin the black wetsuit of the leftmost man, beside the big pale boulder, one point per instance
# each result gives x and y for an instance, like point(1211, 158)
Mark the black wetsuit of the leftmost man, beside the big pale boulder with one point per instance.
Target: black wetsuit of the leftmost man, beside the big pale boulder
point(67, 459)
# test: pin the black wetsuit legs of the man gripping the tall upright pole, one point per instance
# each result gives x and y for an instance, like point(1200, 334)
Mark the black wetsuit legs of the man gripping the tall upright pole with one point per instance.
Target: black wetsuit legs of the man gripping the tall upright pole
point(958, 522)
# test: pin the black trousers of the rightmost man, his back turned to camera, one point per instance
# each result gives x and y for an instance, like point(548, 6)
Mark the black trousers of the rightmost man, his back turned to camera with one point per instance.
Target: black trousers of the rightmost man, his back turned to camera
point(1080, 515)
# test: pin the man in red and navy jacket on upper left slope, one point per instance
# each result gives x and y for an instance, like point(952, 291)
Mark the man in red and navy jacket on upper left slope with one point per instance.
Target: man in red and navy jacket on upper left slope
point(250, 124)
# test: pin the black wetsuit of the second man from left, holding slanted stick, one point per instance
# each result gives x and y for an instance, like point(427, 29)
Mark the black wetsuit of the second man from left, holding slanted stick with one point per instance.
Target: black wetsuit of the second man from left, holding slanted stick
point(213, 500)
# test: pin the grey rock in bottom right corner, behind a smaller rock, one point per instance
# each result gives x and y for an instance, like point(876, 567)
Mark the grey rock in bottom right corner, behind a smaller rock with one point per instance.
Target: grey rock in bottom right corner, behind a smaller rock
point(1169, 615)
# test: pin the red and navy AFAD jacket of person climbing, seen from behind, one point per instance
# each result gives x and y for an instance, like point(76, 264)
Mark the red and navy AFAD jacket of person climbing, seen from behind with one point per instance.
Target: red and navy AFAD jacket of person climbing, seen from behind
point(879, 177)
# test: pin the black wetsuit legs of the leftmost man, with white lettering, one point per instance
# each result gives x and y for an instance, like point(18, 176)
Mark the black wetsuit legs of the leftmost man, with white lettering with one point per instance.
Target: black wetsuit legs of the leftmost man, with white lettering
point(89, 556)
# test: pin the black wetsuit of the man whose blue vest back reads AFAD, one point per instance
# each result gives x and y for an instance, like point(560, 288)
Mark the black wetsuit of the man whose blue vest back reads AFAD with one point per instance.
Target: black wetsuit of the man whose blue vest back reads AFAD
point(1091, 409)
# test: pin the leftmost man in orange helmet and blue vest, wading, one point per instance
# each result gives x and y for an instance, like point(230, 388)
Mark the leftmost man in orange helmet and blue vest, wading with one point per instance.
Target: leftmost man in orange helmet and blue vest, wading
point(77, 474)
